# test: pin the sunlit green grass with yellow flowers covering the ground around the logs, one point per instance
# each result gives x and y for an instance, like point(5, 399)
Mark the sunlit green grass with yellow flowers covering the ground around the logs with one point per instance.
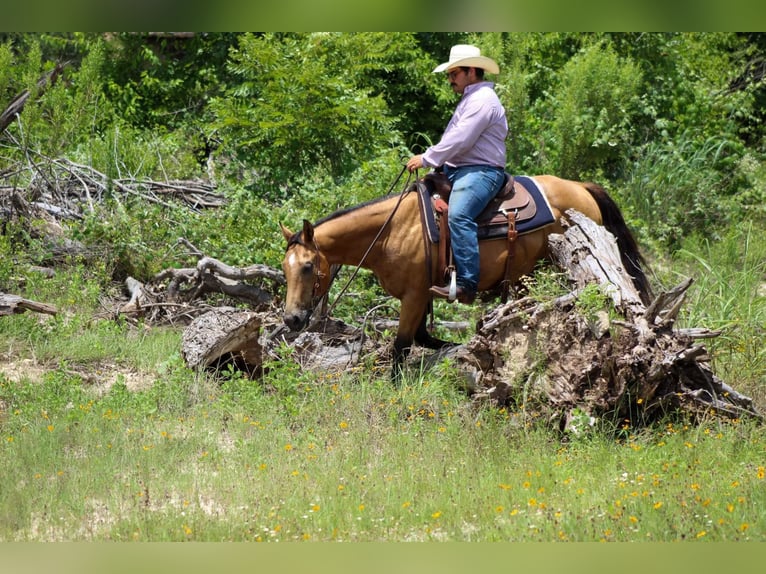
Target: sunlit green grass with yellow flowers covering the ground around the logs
point(106, 435)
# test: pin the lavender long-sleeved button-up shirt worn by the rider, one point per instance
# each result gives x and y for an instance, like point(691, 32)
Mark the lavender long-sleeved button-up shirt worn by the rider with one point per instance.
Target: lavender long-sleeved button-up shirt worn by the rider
point(476, 133)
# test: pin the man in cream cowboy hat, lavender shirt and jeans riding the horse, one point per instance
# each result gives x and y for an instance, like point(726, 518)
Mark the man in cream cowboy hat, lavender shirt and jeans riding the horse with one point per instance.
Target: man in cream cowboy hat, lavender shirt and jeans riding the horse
point(472, 154)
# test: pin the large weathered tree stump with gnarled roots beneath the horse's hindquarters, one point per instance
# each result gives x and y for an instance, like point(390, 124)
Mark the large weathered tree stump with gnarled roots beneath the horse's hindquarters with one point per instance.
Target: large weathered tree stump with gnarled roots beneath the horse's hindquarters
point(561, 362)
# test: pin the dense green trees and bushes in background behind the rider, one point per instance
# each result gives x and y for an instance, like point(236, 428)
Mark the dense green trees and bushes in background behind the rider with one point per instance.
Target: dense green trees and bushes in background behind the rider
point(672, 122)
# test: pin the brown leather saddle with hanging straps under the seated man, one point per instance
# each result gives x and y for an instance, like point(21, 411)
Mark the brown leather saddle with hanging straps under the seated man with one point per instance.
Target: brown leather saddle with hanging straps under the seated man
point(513, 205)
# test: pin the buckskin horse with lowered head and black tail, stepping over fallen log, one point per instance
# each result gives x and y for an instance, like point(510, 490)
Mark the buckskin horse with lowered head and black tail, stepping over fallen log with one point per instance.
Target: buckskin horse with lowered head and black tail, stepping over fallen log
point(385, 235)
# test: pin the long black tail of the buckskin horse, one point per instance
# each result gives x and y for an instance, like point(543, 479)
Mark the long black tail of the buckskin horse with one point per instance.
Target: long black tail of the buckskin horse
point(614, 222)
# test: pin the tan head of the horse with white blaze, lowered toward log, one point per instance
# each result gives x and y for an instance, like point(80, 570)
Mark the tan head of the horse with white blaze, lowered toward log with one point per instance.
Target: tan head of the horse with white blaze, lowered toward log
point(307, 273)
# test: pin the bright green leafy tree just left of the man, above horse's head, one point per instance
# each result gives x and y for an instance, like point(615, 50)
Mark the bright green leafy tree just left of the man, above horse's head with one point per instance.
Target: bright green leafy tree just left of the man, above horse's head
point(300, 104)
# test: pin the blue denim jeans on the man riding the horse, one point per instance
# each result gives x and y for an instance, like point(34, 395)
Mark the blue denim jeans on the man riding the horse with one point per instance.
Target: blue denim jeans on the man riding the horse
point(472, 189)
